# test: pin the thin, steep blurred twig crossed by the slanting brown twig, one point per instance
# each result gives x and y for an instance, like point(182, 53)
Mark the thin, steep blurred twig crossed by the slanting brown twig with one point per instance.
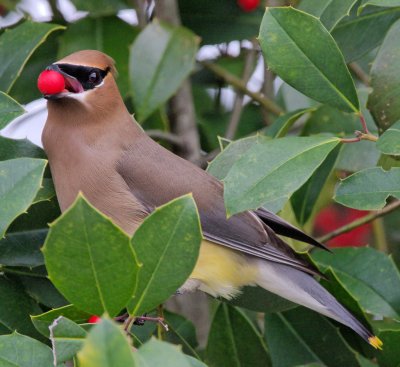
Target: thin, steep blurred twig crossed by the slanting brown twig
point(238, 104)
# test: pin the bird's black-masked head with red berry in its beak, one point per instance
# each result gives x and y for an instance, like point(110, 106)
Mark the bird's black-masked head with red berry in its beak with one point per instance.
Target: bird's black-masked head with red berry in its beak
point(78, 76)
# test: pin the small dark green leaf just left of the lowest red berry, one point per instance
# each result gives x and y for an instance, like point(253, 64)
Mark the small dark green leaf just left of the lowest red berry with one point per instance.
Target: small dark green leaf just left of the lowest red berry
point(44, 320)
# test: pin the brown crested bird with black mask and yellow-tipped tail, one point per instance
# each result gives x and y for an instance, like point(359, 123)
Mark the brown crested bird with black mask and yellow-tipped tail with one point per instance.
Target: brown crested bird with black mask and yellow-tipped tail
point(95, 146)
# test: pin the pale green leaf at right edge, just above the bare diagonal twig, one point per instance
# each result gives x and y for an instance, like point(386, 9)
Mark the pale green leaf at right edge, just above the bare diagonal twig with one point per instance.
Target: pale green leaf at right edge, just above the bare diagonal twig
point(368, 189)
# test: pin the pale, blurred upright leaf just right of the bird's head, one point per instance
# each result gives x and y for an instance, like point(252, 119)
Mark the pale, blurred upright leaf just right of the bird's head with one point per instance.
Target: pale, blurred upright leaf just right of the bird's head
point(161, 58)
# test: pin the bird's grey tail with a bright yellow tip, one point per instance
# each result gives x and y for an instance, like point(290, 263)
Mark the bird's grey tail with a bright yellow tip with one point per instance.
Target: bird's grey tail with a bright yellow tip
point(303, 289)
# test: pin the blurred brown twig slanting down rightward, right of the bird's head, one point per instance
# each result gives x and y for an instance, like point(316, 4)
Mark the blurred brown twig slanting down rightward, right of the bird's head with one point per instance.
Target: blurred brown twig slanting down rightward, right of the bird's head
point(237, 83)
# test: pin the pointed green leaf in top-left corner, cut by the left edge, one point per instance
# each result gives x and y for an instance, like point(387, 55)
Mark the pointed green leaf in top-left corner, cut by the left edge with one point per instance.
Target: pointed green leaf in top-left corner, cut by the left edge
point(20, 42)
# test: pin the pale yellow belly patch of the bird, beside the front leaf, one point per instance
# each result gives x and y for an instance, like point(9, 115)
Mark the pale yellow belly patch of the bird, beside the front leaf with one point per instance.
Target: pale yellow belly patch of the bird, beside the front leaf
point(222, 271)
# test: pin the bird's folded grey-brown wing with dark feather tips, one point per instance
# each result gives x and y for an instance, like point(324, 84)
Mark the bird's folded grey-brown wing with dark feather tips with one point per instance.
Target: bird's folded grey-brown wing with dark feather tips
point(155, 176)
